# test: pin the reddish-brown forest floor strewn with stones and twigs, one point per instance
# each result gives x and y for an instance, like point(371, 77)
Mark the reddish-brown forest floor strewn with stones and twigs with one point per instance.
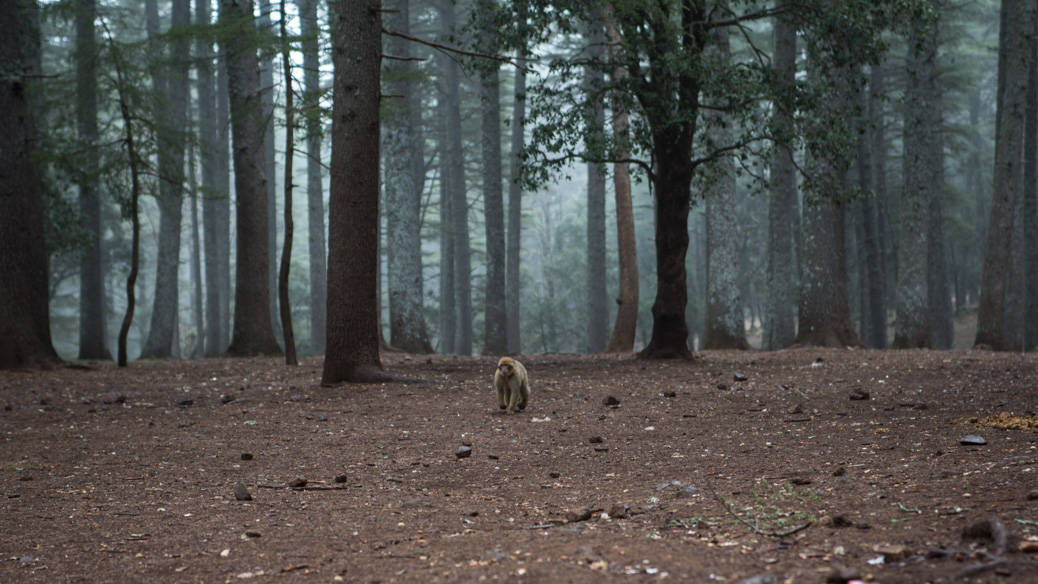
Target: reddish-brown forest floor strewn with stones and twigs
point(797, 466)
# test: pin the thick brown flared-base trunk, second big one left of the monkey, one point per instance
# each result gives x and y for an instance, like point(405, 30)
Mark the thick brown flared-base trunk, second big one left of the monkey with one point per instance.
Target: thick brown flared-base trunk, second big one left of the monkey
point(253, 331)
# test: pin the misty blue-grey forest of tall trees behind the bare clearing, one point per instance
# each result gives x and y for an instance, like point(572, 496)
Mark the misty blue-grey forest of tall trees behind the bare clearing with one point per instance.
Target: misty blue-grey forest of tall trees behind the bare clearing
point(845, 174)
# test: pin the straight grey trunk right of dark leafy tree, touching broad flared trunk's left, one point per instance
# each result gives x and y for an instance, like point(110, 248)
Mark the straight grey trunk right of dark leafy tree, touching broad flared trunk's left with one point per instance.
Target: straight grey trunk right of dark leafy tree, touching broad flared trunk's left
point(780, 325)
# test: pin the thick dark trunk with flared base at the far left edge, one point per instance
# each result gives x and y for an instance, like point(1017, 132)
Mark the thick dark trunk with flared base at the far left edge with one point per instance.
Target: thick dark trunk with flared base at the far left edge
point(25, 330)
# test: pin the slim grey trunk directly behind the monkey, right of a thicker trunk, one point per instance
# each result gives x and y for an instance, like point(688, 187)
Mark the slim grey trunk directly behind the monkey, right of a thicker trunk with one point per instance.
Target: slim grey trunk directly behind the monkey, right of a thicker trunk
point(513, 288)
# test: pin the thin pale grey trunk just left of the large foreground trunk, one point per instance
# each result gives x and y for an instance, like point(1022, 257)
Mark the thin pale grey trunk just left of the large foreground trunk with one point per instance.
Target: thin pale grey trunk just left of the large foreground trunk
point(315, 186)
